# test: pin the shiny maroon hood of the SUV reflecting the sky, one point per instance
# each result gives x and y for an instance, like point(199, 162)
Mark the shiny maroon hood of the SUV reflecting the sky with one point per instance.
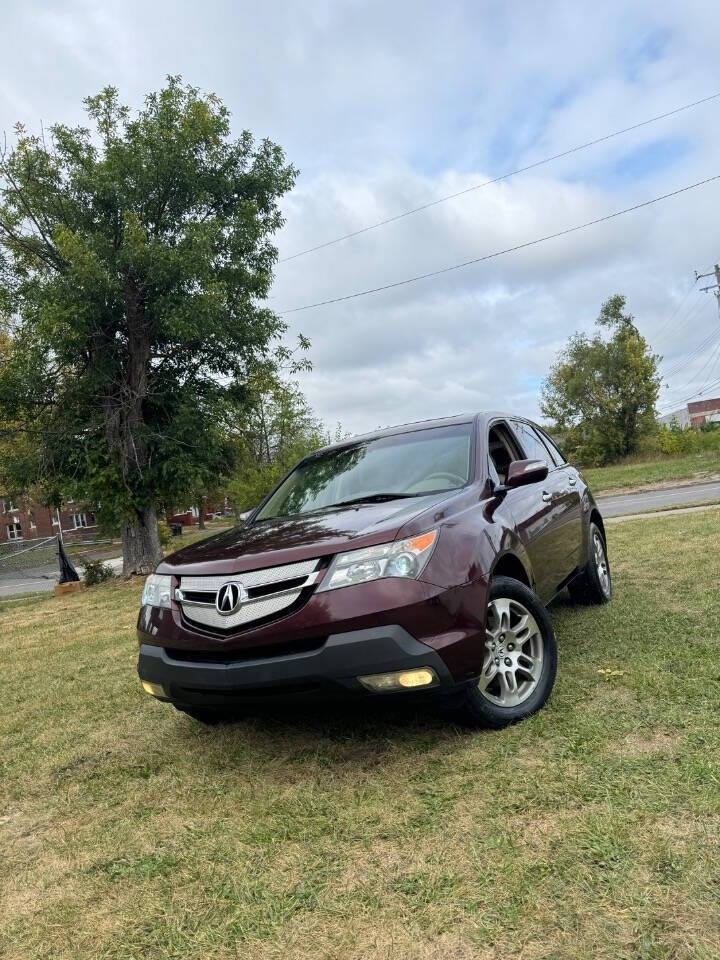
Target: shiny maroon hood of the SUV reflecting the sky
point(282, 540)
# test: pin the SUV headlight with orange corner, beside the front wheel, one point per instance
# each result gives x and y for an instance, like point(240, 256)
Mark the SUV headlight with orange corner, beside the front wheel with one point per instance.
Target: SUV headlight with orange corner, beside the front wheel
point(403, 558)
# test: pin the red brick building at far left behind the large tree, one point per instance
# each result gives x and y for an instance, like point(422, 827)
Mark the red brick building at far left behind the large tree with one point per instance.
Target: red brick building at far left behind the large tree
point(23, 519)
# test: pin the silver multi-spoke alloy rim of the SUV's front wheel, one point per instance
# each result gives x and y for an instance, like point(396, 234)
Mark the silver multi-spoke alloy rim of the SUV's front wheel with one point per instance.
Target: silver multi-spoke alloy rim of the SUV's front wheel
point(514, 654)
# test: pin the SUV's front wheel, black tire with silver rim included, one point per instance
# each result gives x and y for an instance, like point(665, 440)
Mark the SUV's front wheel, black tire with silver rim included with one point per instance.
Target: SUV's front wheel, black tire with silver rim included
point(520, 657)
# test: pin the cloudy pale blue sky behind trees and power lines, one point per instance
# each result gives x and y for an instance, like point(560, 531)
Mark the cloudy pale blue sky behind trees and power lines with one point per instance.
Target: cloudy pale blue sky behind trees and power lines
point(387, 106)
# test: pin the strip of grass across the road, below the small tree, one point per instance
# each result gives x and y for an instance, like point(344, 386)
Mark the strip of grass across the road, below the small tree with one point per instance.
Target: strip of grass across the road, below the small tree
point(631, 473)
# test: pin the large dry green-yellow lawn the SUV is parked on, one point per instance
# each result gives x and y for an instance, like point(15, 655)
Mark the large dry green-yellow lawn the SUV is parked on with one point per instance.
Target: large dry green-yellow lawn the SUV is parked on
point(128, 831)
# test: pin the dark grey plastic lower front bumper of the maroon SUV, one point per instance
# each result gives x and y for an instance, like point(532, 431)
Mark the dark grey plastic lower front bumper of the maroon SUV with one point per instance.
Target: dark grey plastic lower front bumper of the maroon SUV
point(330, 669)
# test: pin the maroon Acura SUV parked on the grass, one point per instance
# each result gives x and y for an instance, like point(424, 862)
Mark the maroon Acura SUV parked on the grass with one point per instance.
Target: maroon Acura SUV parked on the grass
point(418, 558)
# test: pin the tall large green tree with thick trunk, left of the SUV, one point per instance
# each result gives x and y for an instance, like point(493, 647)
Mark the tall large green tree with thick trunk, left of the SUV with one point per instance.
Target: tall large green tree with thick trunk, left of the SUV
point(135, 255)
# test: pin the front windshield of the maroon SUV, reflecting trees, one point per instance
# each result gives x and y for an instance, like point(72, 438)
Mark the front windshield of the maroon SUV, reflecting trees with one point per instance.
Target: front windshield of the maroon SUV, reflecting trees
point(404, 465)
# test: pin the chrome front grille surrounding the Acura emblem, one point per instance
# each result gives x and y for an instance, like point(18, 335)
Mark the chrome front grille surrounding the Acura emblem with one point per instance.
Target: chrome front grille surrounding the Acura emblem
point(277, 587)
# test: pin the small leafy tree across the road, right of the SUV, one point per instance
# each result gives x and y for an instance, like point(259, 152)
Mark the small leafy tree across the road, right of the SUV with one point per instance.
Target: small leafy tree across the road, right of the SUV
point(602, 390)
